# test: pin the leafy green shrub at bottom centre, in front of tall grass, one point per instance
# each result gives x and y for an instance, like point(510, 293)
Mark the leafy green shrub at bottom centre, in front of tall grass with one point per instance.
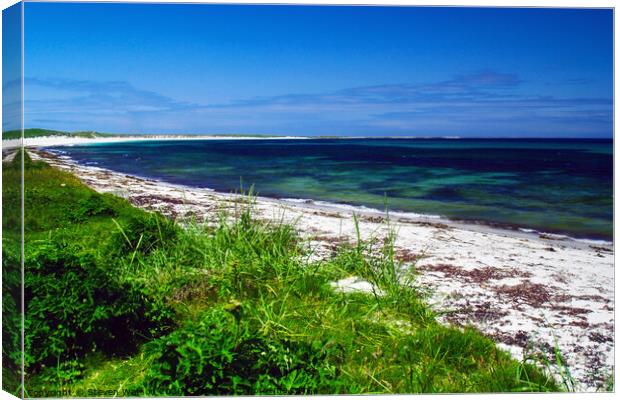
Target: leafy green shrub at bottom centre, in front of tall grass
point(221, 354)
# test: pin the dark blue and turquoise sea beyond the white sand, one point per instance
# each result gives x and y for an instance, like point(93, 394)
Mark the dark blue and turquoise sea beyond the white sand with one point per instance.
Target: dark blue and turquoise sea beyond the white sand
point(560, 186)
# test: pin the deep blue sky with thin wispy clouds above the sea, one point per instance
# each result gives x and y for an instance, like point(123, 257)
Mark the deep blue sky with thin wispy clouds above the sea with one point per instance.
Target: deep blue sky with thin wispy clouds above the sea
point(310, 70)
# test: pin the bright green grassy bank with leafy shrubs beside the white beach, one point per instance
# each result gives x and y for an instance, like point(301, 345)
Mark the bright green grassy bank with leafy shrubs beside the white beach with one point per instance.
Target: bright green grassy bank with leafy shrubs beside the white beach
point(124, 302)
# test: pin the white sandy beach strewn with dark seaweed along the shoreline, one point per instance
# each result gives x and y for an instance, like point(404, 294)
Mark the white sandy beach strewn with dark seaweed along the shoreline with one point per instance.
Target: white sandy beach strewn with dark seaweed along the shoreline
point(528, 292)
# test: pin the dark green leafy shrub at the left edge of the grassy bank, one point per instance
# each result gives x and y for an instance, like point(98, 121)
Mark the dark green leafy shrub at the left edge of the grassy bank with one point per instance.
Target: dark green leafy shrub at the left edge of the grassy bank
point(73, 307)
